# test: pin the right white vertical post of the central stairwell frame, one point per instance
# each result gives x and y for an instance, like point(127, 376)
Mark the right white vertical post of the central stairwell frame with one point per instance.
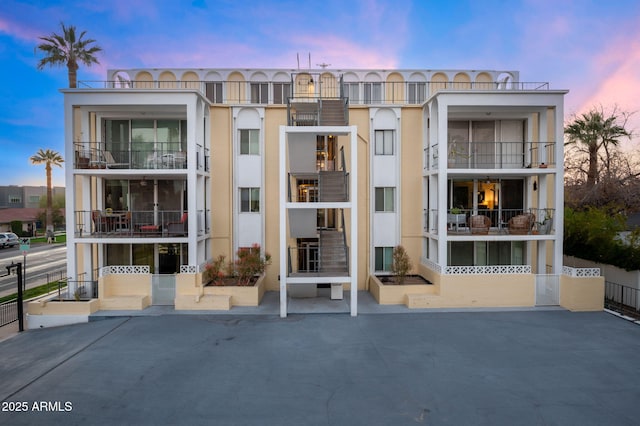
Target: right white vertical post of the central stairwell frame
point(353, 199)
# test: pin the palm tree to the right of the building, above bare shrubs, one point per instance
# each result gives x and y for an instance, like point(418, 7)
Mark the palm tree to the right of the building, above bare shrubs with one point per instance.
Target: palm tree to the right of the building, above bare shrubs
point(597, 132)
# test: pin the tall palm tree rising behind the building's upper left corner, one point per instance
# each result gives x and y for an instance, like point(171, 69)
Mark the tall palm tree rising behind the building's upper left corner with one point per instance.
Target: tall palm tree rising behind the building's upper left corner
point(68, 50)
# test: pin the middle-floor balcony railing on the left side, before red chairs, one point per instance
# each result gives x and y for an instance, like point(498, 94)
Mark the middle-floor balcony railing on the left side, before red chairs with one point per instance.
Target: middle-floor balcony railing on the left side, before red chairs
point(135, 224)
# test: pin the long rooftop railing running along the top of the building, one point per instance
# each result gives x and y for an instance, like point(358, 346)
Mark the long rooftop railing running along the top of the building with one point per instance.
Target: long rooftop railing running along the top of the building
point(358, 93)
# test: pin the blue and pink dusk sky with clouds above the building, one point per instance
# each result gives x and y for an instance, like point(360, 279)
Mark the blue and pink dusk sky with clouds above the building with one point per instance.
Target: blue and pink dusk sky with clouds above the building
point(591, 48)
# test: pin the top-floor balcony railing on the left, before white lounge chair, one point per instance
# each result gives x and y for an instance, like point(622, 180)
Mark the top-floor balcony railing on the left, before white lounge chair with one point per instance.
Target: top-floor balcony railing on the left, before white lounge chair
point(93, 155)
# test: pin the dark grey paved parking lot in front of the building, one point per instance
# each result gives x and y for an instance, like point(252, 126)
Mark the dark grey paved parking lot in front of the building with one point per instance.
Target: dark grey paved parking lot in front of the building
point(535, 367)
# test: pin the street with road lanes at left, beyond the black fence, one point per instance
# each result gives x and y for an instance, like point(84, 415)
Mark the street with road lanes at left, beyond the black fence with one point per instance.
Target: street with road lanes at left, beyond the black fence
point(41, 259)
